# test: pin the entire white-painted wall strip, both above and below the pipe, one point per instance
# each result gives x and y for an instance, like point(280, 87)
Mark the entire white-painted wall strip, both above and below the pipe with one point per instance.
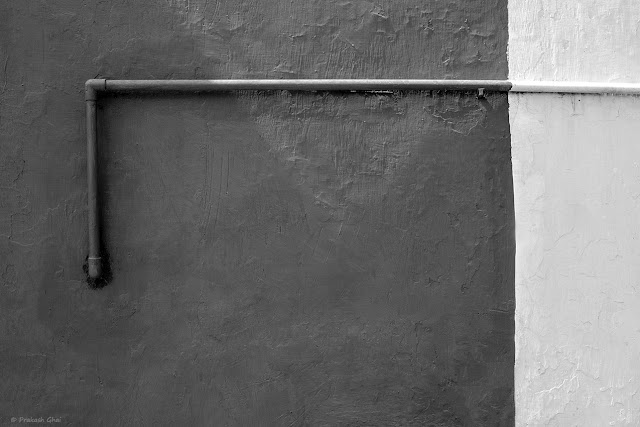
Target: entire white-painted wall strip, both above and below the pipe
point(576, 190)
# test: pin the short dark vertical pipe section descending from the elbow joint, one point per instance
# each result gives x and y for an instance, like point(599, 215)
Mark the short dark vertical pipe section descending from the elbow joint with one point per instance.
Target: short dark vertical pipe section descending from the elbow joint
point(94, 262)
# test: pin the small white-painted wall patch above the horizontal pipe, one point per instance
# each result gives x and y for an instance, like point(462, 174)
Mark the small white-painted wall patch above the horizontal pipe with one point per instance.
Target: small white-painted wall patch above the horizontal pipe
point(580, 40)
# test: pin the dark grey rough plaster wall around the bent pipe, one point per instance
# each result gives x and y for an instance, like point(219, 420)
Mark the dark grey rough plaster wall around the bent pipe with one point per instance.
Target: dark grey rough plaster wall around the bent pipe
point(277, 258)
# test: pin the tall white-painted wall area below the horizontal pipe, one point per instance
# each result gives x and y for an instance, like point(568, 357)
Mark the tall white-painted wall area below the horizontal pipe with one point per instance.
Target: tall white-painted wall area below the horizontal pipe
point(577, 199)
